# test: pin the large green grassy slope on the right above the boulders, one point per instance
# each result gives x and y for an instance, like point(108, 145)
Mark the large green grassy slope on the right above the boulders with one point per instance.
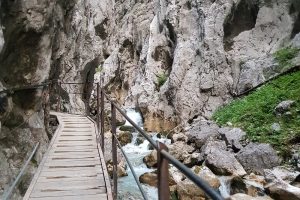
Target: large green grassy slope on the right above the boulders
point(255, 113)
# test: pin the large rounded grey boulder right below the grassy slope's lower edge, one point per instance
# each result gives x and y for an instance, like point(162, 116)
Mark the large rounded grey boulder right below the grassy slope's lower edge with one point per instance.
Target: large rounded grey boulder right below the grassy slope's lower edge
point(257, 157)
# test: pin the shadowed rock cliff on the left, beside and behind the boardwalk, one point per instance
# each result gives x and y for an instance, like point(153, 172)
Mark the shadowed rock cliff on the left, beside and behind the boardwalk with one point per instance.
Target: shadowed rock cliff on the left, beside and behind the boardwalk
point(40, 41)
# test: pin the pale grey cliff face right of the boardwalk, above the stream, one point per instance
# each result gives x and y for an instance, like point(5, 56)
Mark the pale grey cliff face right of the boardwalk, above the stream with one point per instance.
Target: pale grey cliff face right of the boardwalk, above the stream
point(208, 50)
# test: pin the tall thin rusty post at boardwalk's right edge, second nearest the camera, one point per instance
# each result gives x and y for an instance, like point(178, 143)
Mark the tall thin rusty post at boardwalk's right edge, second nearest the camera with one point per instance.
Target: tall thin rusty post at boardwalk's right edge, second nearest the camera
point(114, 149)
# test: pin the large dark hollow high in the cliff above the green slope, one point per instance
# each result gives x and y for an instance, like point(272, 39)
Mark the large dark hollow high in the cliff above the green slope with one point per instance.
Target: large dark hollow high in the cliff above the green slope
point(241, 18)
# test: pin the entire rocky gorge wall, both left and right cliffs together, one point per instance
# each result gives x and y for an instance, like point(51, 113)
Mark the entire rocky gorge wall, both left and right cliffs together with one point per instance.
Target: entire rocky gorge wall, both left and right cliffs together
point(173, 60)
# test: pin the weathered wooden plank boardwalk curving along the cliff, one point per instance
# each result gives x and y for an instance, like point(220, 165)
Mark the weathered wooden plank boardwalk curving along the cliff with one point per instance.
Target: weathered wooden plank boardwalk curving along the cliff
point(73, 167)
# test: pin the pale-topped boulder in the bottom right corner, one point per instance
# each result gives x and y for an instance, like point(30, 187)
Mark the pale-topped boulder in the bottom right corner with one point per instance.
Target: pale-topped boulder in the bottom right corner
point(280, 190)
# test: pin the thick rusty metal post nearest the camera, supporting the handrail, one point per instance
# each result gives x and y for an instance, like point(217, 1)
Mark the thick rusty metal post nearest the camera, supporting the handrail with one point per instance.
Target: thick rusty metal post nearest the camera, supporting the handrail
point(163, 174)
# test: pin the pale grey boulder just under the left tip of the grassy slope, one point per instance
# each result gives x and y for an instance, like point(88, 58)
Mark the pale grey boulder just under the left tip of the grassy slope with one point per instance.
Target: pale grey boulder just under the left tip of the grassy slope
point(233, 137)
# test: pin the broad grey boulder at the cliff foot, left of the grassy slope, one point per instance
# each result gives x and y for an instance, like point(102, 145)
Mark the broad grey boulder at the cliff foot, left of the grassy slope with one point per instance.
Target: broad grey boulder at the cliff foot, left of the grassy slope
point(201, 131)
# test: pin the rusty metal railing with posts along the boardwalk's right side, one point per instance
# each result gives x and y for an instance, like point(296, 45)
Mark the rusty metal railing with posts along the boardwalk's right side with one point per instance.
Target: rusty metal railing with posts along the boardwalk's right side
point(163, 157)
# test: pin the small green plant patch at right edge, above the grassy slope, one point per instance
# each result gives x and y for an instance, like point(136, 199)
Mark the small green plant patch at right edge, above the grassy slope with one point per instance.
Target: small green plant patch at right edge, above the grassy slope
point(284, 56)
